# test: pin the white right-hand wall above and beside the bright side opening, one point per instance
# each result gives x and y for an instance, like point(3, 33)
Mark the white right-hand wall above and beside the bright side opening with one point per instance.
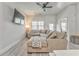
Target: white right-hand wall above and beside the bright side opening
point(69, 12)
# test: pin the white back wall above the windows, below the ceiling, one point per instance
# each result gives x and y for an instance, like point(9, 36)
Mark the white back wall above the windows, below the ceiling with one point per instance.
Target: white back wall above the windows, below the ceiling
point(48, 19)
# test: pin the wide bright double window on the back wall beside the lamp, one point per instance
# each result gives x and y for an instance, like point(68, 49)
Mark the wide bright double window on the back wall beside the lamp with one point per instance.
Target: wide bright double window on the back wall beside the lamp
point(37, 25)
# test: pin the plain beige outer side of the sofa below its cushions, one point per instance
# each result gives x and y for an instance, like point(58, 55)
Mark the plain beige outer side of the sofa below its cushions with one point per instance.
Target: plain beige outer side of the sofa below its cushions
point(57, 44)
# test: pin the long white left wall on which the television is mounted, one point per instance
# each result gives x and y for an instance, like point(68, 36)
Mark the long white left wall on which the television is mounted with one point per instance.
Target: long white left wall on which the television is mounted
point(9, 32)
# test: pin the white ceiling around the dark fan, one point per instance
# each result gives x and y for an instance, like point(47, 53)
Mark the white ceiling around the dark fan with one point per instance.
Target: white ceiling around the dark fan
point(32, 8)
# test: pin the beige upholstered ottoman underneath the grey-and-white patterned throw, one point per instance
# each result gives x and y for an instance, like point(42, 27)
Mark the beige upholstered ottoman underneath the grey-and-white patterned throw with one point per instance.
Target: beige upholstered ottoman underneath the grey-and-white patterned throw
point(30, 49)
